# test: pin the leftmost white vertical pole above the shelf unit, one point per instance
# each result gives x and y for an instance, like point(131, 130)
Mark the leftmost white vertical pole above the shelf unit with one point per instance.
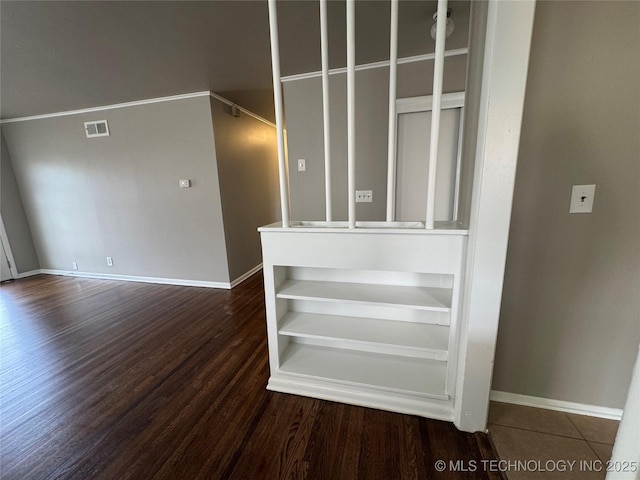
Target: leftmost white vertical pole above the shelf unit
point(279, 110)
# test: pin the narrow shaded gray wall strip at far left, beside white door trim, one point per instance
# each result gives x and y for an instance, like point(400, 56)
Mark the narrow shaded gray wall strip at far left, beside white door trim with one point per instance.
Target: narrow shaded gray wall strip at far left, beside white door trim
point(13, 216)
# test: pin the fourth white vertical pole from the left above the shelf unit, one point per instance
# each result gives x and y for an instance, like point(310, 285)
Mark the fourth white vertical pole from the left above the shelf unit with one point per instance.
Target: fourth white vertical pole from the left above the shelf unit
point(391, 143)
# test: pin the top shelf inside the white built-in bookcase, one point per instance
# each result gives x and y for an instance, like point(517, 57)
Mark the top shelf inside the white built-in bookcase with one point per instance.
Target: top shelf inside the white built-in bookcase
point(421, 298)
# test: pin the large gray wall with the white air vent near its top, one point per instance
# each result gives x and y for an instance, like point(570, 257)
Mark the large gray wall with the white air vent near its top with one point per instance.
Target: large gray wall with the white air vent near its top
point(118, 196)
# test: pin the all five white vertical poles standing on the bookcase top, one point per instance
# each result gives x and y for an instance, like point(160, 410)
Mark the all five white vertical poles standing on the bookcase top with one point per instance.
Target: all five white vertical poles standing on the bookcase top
point(351, 145)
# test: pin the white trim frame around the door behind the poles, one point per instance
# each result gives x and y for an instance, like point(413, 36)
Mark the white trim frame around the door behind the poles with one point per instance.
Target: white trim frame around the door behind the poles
point(424, 103)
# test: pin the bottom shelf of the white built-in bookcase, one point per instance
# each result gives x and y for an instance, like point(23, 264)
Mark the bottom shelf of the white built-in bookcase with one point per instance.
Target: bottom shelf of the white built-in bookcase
point(415, 376)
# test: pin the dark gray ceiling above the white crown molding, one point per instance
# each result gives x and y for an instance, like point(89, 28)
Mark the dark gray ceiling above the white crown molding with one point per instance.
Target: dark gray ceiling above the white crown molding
point(66, 55)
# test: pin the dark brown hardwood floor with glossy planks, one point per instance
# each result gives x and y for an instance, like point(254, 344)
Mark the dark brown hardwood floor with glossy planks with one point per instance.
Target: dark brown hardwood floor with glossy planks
point(114, 380)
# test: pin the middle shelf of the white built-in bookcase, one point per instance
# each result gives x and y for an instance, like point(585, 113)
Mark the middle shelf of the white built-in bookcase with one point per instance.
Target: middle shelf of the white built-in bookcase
point(384, 336)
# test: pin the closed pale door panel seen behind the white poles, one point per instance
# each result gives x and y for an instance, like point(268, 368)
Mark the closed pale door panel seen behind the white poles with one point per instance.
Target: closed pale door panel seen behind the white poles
point(412, 165)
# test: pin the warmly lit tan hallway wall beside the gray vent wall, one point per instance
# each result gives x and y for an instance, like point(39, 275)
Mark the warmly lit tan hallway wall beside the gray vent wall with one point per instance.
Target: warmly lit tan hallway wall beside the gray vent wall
point(248, 171)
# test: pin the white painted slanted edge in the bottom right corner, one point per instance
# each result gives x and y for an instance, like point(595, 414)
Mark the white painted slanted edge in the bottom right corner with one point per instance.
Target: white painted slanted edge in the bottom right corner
point(626, 450)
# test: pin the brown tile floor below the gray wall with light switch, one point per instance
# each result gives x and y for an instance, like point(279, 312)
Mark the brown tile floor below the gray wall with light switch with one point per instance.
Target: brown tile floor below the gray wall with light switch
point(545, 444)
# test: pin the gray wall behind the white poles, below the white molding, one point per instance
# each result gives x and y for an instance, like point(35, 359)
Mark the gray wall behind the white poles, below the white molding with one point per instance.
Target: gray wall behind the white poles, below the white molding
point(303, 107)
